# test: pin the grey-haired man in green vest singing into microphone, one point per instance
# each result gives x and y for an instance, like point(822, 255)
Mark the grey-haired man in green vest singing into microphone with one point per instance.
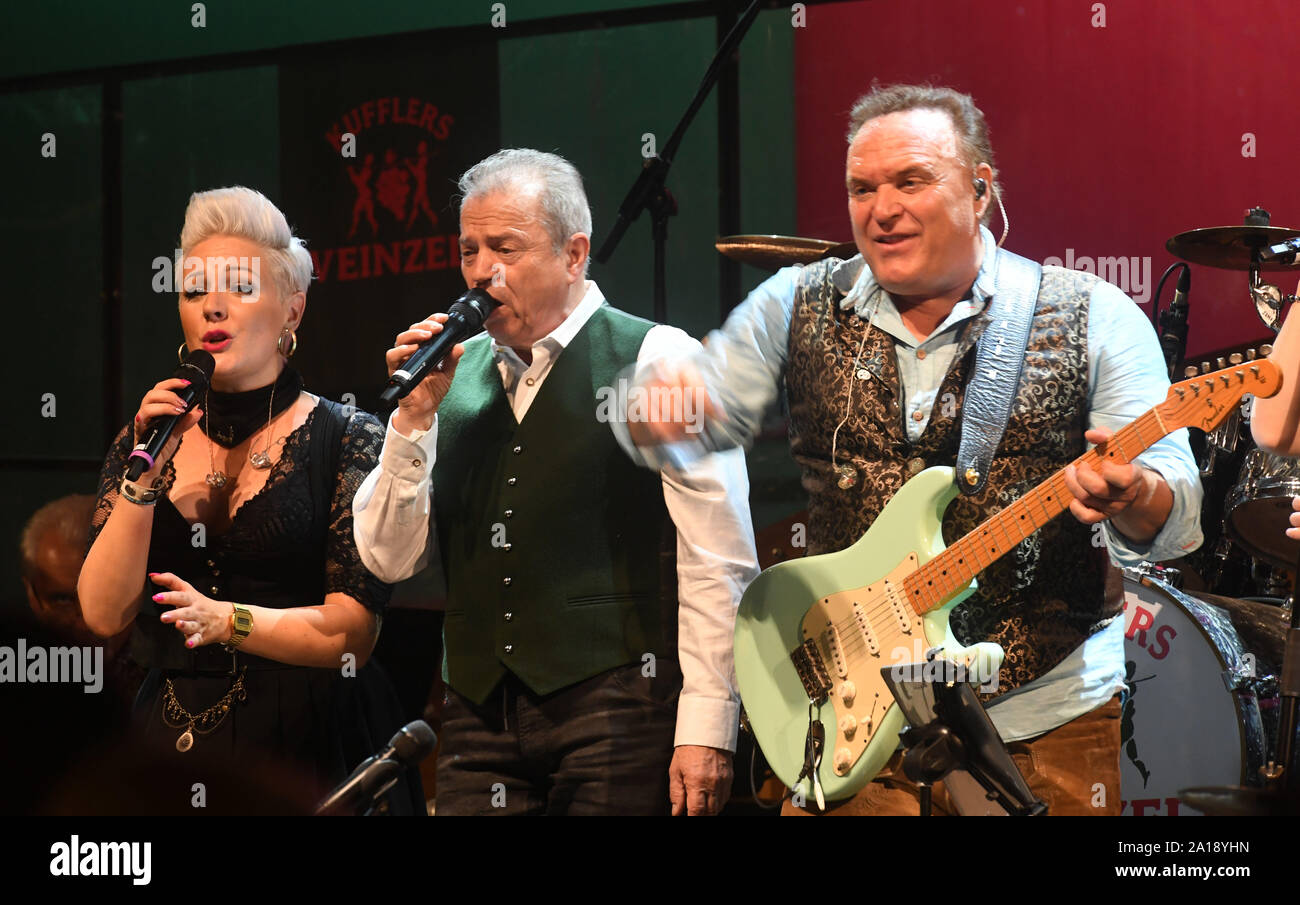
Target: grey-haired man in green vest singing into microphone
point(591, 604)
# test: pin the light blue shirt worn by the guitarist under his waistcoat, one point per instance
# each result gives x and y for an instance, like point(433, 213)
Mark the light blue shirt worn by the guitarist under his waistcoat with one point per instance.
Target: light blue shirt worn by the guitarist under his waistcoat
point(744, 363)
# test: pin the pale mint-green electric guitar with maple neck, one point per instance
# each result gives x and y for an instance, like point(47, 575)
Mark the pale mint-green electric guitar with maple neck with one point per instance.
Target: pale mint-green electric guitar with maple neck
point(820, 630)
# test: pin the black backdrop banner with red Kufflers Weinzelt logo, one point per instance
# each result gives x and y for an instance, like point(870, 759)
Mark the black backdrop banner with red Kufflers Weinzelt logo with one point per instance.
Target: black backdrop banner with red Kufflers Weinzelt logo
point(371, 150)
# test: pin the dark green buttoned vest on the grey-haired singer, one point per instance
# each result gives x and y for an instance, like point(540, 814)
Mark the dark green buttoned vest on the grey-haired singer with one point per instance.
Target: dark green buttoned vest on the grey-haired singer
point(560, 553)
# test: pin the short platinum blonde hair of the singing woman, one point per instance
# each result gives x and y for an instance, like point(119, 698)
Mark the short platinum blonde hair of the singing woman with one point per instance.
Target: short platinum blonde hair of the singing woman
point(250, 215)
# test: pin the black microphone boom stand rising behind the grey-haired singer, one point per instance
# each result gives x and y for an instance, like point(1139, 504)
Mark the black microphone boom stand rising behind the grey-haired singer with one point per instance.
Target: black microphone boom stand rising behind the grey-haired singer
point(651, 192)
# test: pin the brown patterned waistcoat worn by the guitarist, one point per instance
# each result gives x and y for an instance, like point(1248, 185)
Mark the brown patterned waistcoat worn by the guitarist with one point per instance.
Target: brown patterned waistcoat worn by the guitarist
point(1047, 596)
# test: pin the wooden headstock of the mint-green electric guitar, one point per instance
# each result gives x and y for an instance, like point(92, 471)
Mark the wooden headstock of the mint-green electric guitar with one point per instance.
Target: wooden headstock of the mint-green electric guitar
point(1208, 397)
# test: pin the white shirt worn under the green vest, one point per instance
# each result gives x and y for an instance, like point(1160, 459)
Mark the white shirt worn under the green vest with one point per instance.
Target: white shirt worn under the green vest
point(708, 501)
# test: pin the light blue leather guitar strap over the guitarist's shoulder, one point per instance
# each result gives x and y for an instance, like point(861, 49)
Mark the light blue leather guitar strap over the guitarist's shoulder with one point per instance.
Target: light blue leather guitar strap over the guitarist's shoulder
point(999, 363)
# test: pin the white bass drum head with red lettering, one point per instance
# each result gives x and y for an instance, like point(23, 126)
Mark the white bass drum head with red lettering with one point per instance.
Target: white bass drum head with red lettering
point(1182, 728)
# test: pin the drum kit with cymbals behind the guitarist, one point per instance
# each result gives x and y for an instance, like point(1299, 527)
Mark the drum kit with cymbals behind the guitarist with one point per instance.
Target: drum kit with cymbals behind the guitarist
point(1206, 635)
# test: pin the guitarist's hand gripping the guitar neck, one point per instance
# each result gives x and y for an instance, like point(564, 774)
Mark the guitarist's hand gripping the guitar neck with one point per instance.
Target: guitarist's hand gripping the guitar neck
point(1137, 500)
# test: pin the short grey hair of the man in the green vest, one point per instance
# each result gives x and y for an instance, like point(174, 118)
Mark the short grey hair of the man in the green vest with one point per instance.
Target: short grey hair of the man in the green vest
point(560, 187)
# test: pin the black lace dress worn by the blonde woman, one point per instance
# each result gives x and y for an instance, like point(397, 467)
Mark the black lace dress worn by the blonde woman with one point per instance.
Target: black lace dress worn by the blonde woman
point(288, 547)
